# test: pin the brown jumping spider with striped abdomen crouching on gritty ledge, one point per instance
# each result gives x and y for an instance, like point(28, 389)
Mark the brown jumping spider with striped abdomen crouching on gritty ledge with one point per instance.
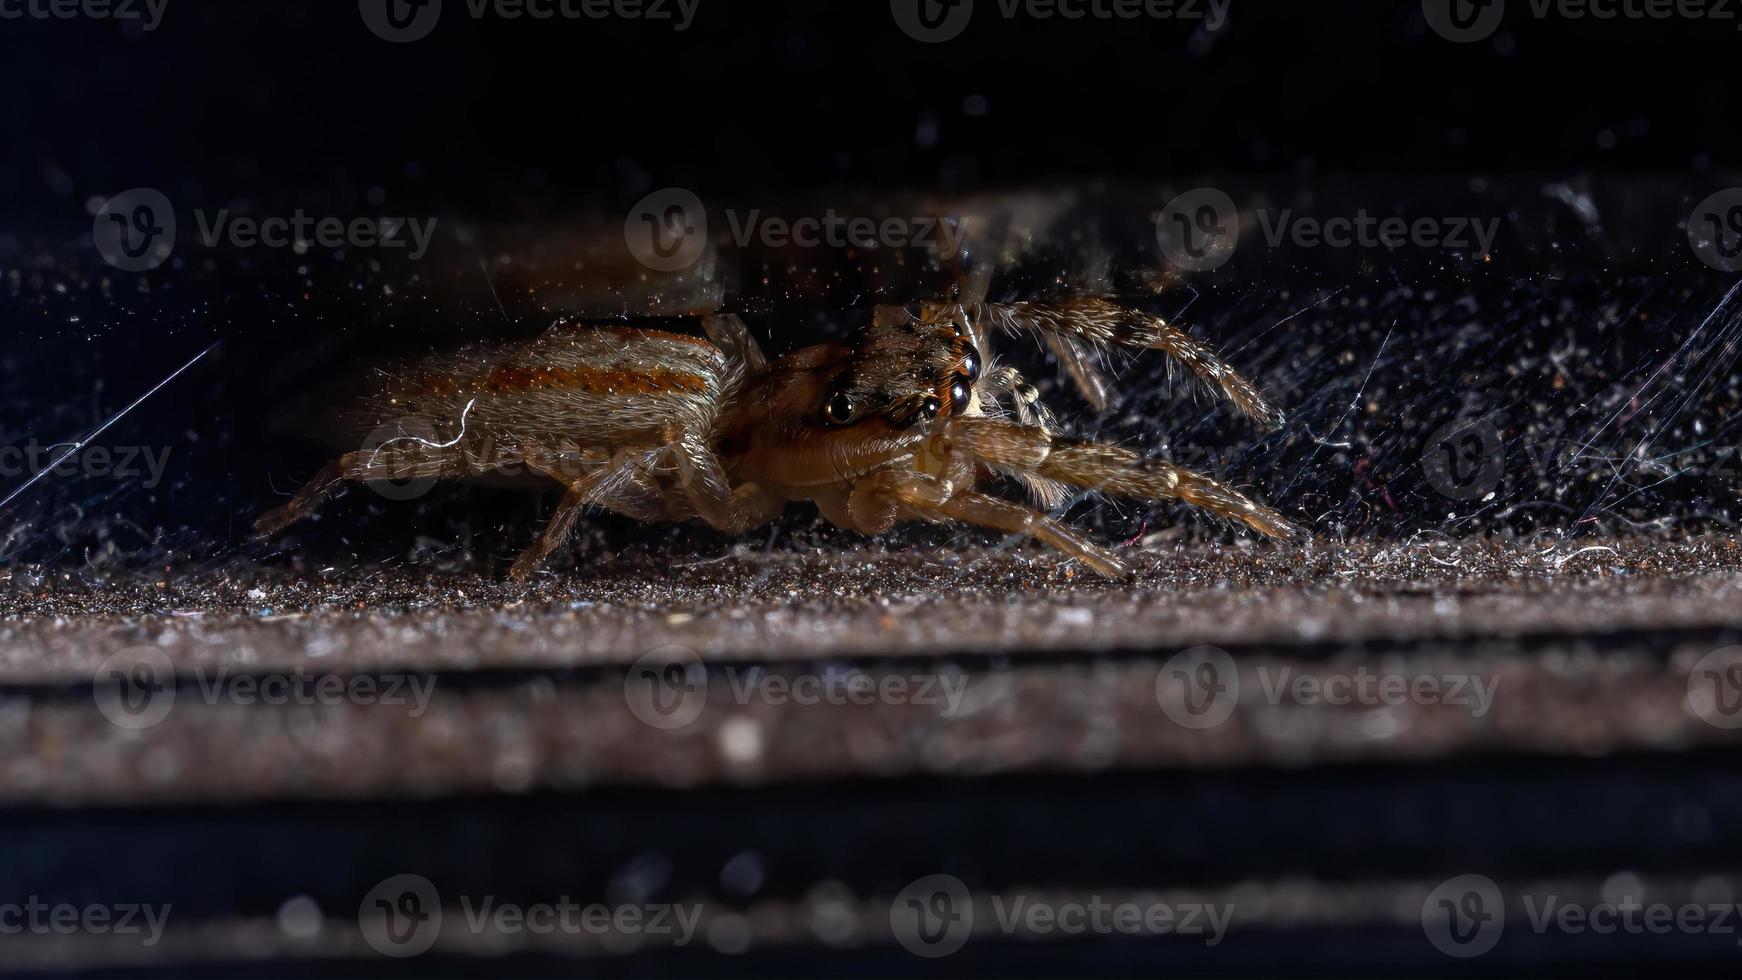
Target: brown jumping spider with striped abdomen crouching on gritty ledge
point(903, 422)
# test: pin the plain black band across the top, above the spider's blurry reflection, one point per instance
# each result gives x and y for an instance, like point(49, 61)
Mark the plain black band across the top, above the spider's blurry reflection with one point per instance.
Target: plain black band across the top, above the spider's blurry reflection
point(781, 97)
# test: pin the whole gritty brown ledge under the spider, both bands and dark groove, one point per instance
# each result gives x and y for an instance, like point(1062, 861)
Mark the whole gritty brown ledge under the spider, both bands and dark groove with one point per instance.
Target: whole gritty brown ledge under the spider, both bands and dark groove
point(1588, 652)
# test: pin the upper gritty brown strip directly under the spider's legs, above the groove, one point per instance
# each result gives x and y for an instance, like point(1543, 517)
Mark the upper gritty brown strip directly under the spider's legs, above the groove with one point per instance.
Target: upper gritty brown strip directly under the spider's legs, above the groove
point(57, 626)
